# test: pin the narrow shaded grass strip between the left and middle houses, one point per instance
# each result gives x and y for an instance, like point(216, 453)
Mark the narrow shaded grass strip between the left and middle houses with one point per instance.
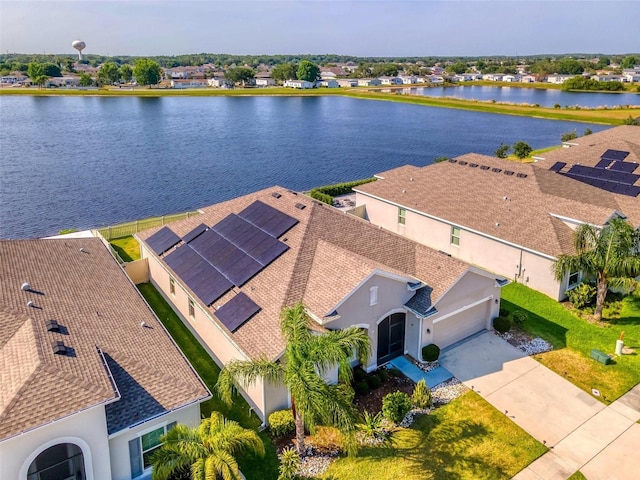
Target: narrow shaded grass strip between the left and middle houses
point(254, 468)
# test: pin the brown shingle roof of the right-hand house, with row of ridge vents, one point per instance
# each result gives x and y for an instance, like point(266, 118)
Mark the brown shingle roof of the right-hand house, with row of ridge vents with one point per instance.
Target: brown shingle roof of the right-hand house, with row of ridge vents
point(519, 207)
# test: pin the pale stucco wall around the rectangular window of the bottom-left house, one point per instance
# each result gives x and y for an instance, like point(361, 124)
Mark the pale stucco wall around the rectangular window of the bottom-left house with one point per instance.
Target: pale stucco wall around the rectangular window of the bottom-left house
point(119, 442)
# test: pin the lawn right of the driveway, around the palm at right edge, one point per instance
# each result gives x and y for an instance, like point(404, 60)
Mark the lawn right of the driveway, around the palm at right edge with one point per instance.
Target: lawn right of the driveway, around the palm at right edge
point(573, 338)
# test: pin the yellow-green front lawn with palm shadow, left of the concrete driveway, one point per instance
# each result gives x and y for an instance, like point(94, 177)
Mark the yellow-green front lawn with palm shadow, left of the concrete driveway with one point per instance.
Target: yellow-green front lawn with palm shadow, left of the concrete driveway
point(466, 439)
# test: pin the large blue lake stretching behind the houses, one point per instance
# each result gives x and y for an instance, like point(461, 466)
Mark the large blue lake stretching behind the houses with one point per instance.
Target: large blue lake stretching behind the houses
point(82, 162)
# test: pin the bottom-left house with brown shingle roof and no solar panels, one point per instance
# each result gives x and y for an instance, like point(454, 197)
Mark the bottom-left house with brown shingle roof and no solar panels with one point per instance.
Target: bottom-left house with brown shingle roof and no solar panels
point(89, 378)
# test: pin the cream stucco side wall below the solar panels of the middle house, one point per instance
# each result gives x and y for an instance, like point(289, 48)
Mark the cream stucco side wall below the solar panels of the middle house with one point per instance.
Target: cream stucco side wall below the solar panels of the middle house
point(211, 336)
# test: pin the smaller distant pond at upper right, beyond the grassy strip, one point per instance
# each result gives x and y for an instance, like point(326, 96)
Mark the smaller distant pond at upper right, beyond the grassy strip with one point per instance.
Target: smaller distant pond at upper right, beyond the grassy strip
point(545, 98)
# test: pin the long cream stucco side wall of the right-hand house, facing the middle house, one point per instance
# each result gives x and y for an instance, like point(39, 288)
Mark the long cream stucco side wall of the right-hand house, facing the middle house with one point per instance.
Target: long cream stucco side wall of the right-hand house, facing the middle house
point(517, 264)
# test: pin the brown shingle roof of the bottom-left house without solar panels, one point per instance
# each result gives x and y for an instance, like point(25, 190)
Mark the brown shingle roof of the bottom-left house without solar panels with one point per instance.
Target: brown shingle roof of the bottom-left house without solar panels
point(100, 314)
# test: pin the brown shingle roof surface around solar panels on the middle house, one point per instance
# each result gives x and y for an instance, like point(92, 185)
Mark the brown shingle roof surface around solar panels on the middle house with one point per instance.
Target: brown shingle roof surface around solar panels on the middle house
point(326, 245)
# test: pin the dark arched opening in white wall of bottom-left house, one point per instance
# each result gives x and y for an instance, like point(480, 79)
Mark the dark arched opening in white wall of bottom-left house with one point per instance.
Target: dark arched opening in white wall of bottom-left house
point(63, 461)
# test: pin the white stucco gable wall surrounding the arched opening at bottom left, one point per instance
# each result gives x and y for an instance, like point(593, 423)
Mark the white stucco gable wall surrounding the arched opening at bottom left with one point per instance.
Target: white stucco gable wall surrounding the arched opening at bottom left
point(87, 429)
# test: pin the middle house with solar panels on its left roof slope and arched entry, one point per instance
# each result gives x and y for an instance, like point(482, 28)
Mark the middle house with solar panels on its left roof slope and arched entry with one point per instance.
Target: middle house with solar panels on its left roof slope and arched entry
point(230, 271)
